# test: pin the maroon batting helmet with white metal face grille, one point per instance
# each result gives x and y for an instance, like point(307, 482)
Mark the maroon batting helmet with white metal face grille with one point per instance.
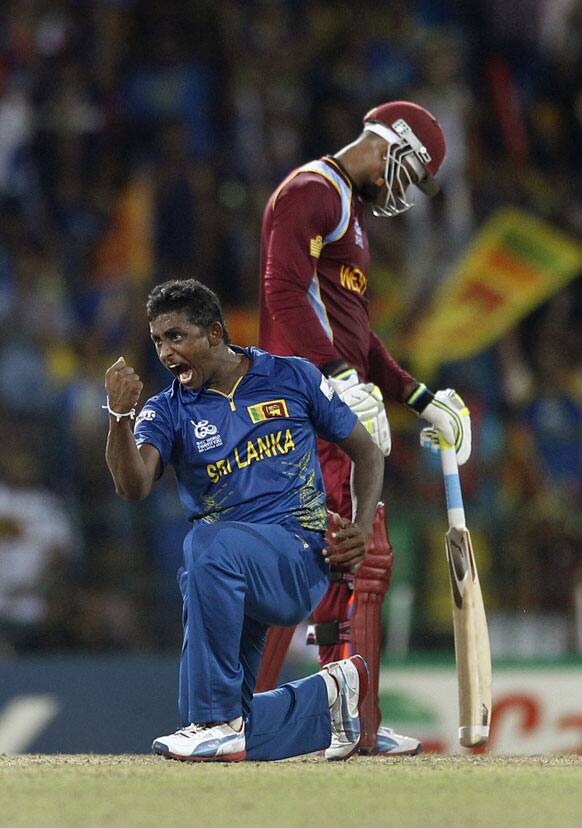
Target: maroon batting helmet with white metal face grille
point(414, 136)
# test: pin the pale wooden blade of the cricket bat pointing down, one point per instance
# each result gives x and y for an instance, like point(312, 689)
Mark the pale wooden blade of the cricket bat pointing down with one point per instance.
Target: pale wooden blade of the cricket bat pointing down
point(472, 652)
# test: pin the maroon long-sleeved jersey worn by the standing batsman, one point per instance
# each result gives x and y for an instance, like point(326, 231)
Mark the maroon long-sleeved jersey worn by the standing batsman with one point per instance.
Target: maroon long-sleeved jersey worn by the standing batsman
point(314, 264)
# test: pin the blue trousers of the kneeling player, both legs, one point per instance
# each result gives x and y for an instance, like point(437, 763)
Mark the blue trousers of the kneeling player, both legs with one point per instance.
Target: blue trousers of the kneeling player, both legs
point(238, 579)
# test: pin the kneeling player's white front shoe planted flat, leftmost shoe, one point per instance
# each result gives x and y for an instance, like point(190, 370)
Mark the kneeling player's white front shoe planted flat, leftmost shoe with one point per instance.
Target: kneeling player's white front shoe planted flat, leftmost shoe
point(214, 742)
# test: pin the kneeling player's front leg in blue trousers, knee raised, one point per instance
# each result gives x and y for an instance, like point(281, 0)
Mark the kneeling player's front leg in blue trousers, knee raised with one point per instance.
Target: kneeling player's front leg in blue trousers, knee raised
point(233, 572)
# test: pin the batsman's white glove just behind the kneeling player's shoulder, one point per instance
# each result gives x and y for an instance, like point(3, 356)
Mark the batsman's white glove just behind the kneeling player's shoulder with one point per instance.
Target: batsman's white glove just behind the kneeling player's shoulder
point(365, 400)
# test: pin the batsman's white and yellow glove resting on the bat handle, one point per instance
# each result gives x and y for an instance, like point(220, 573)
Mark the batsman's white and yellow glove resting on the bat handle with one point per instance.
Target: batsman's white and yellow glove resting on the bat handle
point(448, 415)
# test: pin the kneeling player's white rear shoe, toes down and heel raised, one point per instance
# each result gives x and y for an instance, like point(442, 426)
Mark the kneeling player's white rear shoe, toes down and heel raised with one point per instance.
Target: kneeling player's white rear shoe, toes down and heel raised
point(351, 676)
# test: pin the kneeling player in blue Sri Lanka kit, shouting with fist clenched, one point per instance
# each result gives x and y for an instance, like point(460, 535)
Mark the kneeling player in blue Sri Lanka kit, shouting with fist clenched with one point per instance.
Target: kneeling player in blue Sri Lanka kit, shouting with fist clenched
point(240, 428)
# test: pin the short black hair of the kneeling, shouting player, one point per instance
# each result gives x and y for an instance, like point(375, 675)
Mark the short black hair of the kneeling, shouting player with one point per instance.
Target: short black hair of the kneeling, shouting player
point(188, 296)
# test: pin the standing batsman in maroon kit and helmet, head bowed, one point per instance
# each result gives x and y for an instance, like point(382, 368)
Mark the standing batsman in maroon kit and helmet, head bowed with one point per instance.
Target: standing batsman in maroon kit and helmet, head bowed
point(314, 304)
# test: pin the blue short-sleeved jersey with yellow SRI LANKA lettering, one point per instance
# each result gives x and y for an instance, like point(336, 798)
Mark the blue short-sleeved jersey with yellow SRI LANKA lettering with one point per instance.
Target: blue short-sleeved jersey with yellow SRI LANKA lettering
point(250, 455)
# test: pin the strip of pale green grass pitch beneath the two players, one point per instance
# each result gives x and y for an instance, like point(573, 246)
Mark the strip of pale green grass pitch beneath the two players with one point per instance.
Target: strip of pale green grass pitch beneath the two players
point(426, 791)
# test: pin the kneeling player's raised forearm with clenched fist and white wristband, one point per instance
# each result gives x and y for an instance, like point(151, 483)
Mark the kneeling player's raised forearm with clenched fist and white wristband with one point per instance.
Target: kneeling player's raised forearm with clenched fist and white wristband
point(133, 470)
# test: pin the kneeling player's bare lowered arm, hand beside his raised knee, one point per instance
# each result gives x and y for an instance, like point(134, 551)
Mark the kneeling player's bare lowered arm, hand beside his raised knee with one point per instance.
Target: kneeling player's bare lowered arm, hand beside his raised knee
point(350, 542)
